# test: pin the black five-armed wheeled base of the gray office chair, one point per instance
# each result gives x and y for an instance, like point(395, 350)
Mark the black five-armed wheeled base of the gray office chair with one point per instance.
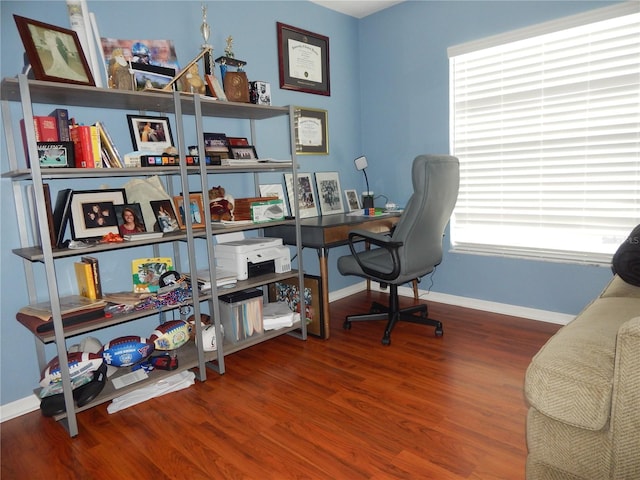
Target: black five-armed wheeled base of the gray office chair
point(393, 314)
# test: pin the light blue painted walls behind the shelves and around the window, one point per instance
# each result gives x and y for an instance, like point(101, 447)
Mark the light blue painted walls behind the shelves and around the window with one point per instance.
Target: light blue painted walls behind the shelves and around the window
point(389, 100)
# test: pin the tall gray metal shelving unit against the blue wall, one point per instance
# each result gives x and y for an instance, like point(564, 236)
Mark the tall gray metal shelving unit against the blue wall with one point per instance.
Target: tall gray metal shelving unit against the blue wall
point(39, 250)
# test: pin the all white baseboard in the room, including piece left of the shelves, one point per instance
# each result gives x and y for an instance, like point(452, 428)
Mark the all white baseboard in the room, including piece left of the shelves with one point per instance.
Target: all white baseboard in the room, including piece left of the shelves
point(32, 403)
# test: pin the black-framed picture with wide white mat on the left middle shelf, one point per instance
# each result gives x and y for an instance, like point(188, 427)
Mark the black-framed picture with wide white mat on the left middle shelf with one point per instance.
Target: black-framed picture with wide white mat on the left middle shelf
point(93, 214)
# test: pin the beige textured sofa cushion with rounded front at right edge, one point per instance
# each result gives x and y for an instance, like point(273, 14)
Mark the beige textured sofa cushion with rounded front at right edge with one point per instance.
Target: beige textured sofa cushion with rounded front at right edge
point(571, 378)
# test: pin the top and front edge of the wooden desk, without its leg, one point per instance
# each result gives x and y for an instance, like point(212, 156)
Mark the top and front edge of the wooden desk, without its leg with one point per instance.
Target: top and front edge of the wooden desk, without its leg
point(332, 230)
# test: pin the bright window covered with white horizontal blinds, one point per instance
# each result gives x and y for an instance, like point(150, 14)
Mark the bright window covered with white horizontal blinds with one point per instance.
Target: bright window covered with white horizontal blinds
point(546, 124)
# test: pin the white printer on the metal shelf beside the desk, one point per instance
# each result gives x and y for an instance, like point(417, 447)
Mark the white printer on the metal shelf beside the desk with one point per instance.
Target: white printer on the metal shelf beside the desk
point(251, 257)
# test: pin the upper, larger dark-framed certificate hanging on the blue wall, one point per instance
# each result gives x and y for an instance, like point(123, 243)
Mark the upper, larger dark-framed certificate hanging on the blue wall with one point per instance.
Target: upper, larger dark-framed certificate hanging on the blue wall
point(303, 60)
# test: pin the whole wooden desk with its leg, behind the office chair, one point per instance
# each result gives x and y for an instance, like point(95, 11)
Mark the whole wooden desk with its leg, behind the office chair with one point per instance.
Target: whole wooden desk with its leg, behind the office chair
point(328, 231)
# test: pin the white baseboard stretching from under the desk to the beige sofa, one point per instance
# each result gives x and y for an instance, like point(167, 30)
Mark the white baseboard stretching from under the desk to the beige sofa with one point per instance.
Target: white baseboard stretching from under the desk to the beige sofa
point(474, 303)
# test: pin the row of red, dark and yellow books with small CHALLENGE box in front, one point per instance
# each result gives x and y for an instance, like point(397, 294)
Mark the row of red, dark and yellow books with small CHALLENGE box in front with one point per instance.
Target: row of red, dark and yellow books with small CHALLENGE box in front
point(73, 145)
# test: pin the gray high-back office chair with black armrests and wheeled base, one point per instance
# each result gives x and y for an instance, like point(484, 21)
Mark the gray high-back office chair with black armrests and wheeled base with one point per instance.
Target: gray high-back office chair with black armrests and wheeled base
point(413, 249)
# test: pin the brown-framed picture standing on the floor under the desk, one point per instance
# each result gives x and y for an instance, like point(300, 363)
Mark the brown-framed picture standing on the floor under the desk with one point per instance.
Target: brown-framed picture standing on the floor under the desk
point(288, 291)
